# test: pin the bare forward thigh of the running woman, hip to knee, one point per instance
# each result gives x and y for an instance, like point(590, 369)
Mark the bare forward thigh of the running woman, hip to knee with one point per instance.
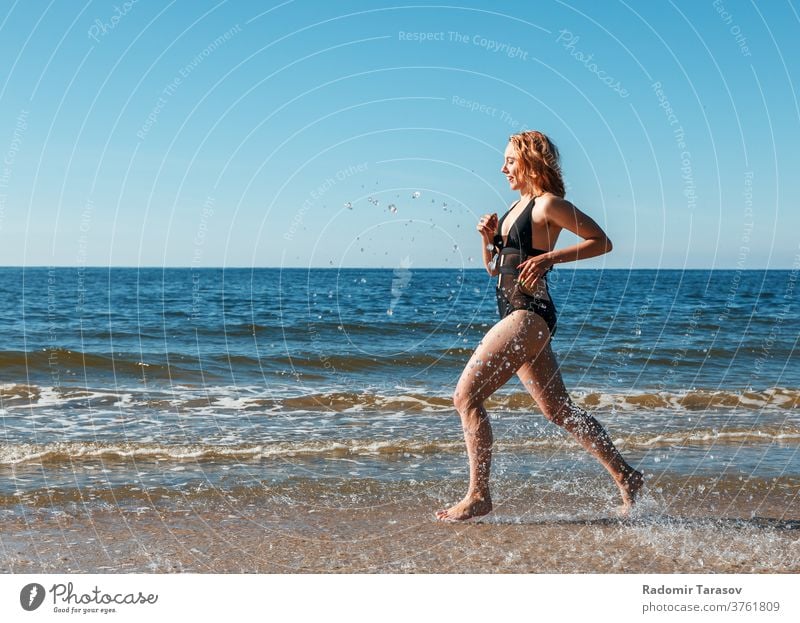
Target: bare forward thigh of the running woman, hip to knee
point(516, 339)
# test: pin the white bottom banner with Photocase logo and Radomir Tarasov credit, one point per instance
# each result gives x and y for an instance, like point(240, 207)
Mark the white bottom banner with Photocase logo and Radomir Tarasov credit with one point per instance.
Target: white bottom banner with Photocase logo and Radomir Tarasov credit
point(353, 598)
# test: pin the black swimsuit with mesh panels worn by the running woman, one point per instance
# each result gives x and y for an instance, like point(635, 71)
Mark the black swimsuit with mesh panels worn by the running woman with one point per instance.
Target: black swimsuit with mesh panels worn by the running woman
point(519, 248)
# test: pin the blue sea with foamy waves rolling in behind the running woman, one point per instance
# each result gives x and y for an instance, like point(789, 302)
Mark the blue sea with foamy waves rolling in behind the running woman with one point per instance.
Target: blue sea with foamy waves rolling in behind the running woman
point(180, 379)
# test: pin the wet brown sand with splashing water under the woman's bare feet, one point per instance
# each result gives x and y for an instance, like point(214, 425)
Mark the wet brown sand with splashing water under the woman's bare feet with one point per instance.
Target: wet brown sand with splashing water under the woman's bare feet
point(677, 531)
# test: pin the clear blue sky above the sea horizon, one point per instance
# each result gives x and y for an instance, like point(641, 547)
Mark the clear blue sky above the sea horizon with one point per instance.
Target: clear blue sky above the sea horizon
point(299, 133)
